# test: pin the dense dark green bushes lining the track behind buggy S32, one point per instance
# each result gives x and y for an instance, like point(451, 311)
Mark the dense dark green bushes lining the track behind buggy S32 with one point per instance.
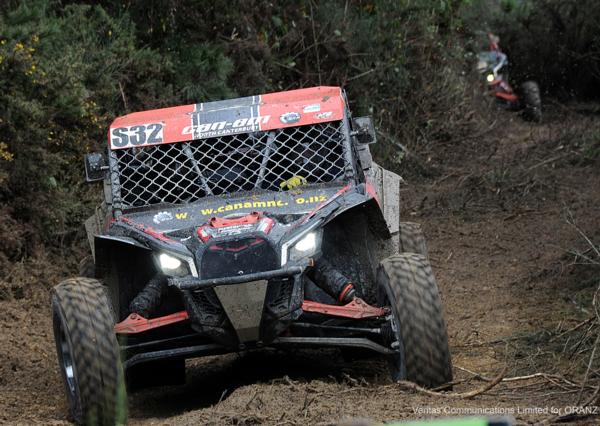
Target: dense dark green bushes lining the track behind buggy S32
point(69, 67)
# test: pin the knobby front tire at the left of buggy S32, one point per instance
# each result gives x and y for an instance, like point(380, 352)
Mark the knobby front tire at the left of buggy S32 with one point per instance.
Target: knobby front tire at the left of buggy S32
point(88, 352)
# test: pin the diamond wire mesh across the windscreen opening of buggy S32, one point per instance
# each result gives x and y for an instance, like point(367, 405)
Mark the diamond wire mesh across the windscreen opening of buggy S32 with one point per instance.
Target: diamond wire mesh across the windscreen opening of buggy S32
point(187, 171)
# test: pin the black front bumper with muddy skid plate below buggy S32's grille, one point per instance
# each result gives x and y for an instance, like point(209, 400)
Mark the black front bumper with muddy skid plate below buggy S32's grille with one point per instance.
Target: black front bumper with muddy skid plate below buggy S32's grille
point(241, 309)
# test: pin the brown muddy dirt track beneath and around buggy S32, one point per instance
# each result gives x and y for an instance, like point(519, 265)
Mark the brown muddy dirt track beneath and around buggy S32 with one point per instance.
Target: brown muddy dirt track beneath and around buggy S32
point(494, 210)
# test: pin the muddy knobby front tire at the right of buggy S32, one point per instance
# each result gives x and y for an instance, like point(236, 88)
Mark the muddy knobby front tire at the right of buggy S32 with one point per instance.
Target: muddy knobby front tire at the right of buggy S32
point(407, 284)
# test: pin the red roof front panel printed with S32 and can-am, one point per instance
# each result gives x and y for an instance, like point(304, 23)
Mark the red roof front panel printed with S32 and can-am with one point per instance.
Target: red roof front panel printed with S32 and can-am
point(228, 117)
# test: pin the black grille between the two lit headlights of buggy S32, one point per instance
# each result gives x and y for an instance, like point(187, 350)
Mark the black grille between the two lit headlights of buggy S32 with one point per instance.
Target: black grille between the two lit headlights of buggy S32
point(242, 257)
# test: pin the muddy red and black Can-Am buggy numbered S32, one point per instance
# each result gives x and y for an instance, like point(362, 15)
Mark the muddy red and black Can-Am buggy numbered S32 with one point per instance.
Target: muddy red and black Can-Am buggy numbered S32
point(241, 224)
